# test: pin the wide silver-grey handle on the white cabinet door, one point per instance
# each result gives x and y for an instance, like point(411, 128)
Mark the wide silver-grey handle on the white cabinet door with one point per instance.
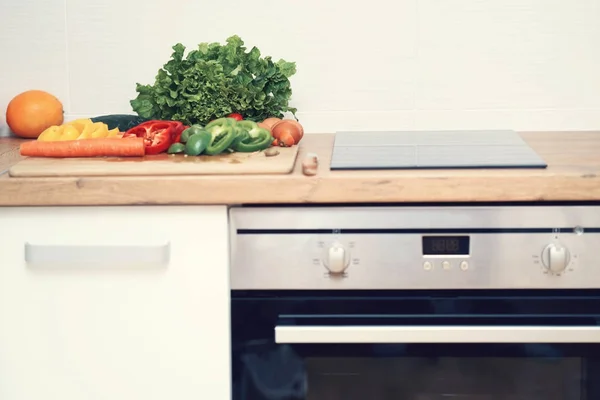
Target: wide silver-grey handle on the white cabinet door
point(117, 255)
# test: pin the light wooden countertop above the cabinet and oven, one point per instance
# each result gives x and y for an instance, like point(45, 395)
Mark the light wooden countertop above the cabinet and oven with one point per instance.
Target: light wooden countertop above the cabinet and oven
point(573, 174)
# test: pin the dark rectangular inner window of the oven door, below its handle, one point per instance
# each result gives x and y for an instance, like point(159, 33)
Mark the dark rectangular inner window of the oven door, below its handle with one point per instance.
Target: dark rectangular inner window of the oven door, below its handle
point(445, 378)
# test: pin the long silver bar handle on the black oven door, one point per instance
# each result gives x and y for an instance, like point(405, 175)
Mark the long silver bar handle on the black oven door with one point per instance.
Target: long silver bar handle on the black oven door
point(437, 334)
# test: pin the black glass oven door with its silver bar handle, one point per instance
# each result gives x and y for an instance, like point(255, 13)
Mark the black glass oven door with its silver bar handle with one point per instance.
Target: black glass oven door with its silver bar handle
point(490, 345)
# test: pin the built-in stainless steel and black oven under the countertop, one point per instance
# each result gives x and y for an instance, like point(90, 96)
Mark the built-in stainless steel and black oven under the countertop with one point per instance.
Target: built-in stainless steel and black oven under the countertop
point(419, 302)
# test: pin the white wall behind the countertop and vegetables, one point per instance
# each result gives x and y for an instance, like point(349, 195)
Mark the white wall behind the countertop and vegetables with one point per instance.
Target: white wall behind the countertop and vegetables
point(377, 64)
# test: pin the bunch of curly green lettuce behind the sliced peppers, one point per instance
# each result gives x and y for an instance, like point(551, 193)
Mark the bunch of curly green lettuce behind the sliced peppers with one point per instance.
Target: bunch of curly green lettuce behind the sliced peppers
point(214, 81)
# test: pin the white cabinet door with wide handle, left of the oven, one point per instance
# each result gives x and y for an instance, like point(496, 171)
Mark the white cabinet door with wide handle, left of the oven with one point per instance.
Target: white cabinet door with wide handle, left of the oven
point(114, 303)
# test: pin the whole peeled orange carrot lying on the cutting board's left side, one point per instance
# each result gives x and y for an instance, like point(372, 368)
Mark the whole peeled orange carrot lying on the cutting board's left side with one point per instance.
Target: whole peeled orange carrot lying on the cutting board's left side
point(100, 147)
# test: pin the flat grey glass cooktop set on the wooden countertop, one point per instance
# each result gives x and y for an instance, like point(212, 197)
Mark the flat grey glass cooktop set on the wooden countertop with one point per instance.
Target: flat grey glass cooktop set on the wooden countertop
point(432, 149)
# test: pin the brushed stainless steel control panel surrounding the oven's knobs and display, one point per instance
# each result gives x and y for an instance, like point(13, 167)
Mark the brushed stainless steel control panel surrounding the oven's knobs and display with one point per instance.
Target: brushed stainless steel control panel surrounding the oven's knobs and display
point(510, 260)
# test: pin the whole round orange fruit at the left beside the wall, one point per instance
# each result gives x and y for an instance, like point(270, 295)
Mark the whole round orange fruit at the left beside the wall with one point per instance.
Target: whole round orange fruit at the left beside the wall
point(30, 113)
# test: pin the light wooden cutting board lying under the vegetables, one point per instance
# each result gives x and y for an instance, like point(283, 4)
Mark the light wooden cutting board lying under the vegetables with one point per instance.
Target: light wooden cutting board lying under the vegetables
point(162, 164)
